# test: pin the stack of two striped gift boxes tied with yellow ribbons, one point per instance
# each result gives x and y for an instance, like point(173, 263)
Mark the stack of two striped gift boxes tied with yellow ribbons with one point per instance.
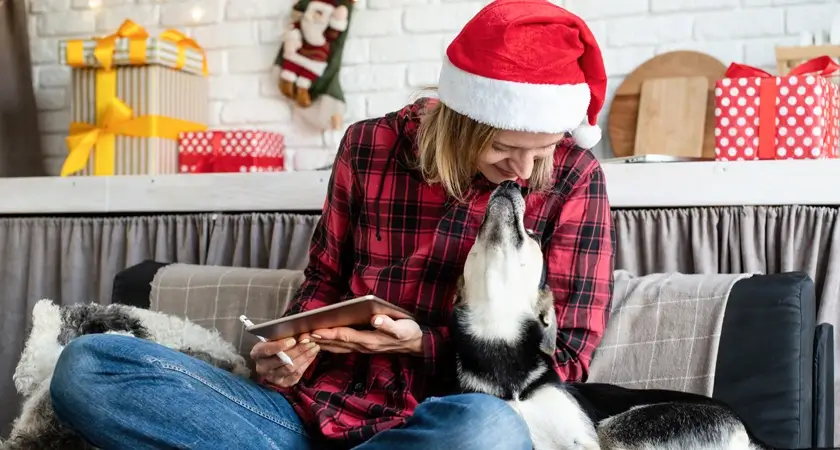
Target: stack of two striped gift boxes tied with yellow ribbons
point(132, 95)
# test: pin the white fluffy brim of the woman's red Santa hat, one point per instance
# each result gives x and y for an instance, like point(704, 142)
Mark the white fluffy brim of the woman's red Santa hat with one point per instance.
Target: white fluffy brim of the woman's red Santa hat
point(508, 105)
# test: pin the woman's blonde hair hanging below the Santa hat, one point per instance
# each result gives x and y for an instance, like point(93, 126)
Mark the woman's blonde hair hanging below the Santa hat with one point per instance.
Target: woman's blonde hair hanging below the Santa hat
point(450, 145)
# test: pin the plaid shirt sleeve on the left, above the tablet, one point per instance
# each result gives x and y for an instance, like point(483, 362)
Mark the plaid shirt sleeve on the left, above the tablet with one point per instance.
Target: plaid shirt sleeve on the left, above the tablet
point(327, 274)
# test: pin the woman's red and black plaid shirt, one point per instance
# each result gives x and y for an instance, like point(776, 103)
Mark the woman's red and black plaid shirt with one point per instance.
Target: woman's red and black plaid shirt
point(385, 231)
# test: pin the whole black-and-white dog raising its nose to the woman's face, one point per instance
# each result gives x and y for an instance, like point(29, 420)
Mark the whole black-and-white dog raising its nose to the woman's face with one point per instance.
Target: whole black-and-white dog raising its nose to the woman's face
point(504, 330)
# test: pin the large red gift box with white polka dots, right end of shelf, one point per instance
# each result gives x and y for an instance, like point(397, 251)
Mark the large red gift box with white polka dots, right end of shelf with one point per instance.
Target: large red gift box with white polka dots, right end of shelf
point(761, 116)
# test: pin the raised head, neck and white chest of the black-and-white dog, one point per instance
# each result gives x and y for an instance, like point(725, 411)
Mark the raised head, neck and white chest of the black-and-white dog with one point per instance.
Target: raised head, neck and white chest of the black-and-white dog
point(504, 329)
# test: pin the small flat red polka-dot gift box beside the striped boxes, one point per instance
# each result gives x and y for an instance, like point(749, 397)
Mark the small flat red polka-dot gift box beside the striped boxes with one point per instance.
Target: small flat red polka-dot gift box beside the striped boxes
point(231, 151)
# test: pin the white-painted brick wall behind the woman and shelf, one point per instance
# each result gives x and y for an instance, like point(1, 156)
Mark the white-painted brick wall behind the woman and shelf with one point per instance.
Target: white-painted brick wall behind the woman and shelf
point(394, 49)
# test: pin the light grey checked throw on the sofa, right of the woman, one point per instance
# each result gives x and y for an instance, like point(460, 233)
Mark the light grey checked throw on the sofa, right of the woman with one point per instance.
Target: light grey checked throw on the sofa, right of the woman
point(664, 331)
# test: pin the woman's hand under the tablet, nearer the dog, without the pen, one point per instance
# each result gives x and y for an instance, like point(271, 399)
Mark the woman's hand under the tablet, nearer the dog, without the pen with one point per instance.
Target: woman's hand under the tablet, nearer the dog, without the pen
point(389, 336)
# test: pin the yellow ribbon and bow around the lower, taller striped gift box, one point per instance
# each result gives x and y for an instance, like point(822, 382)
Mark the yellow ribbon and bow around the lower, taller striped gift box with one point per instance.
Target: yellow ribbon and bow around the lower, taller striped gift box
point(117, 120)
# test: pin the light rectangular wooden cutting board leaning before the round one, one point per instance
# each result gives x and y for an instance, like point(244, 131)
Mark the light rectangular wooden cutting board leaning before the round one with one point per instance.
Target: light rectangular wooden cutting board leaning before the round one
point(672, 116)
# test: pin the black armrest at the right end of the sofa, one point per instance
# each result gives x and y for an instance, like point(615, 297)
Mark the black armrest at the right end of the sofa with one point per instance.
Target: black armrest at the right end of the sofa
point(765, 364)
